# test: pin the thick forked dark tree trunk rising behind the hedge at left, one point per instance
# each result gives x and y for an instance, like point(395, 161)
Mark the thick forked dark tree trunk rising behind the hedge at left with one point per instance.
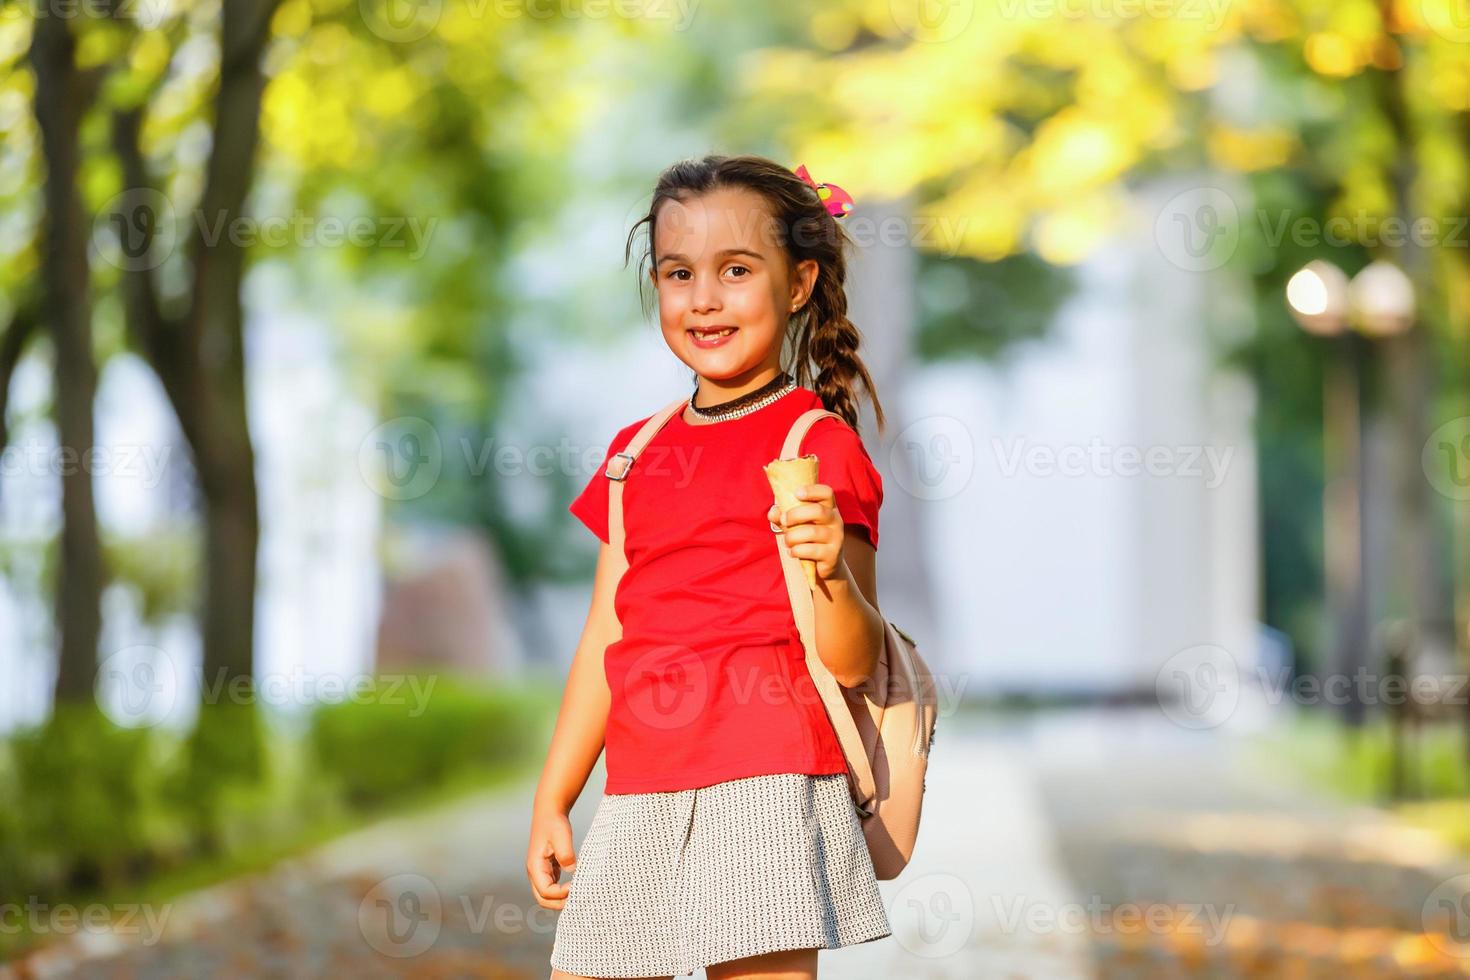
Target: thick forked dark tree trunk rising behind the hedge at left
point(201, 359)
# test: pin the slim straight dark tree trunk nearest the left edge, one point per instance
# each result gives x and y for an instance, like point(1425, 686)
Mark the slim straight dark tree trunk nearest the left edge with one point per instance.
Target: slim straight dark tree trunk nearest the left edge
point(62, 95)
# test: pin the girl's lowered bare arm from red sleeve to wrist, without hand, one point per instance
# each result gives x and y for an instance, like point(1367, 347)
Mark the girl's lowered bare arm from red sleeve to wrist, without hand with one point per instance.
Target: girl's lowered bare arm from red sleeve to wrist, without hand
point(583, 721)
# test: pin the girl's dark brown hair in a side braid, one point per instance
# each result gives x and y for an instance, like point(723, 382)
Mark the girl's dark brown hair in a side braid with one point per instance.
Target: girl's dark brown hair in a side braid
point(824, 340)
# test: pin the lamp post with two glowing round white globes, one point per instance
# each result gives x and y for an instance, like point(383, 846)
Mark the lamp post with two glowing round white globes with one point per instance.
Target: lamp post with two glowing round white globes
point(1378, 303)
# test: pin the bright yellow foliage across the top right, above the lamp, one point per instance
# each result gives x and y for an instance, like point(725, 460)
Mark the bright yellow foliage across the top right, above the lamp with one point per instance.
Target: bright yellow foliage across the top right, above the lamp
point(1022, 126)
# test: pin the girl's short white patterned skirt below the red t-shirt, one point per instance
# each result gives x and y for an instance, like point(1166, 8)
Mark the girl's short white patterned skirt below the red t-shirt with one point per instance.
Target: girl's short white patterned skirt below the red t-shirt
point(670, 882)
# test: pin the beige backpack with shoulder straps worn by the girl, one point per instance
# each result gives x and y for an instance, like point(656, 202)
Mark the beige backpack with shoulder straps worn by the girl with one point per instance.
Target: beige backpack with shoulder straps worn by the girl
point(886, 725)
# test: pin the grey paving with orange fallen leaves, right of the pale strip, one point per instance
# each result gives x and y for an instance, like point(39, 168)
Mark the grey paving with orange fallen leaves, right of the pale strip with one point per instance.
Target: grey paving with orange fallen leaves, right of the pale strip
point(1250, 875)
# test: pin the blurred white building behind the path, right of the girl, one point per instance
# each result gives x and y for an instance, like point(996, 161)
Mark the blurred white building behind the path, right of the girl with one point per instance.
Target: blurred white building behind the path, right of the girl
point(1093, 505)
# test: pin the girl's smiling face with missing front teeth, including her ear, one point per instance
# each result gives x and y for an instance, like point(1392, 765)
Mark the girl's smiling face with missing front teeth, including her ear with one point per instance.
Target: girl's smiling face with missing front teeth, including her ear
point(721, 265)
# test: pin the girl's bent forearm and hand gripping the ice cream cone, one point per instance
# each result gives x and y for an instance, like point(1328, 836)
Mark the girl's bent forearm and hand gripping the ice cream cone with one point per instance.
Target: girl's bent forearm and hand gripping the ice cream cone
point(849, 625)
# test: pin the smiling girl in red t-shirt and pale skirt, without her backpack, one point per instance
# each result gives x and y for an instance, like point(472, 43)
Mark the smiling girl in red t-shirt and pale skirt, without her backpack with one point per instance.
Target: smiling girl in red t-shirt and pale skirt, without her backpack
point(725, 837)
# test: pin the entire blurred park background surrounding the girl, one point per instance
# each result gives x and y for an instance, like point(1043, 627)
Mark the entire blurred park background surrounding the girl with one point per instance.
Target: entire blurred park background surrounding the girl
point(315, 317)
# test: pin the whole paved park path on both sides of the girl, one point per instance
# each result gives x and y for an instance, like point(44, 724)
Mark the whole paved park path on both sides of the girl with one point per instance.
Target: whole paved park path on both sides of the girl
point(1046, 843)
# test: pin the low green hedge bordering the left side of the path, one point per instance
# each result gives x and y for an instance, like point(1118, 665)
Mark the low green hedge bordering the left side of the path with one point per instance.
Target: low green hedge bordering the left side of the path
point(92, 809)
